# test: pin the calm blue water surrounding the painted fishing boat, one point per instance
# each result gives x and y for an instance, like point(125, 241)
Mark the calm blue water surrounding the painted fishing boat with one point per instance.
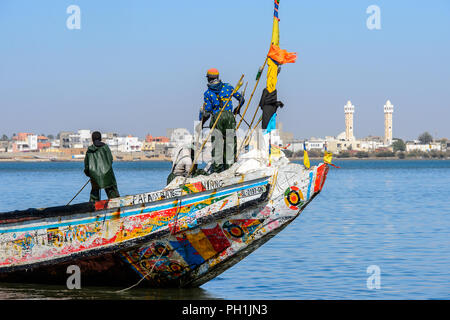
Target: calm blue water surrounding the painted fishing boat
point(392, 214)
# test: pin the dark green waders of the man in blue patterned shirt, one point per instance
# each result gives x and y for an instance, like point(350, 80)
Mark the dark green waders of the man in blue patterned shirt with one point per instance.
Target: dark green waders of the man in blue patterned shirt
point(228, 147)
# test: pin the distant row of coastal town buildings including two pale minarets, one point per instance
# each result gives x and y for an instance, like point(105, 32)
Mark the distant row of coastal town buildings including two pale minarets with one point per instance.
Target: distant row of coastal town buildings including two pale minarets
point(74, 144)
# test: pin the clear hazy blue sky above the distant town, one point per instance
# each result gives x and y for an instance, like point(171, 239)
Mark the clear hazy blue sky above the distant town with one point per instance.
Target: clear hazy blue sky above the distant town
point(139, 67)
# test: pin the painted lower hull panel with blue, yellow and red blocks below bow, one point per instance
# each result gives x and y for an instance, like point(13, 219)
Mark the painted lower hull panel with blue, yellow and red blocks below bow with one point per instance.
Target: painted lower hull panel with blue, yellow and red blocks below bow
point(199, 250)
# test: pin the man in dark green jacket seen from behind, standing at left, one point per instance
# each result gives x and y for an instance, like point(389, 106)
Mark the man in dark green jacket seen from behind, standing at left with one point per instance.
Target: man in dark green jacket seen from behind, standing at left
point(98, 166)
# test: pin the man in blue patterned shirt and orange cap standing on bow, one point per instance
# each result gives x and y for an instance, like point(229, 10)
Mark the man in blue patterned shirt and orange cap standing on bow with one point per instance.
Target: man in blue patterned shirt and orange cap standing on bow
point(214, 100)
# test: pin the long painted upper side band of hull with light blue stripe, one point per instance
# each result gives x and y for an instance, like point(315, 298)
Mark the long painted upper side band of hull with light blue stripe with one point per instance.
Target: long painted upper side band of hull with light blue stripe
point(22, 244)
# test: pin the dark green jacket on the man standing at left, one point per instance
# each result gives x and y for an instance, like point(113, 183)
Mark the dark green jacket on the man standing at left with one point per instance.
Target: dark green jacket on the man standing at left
point(98, 165)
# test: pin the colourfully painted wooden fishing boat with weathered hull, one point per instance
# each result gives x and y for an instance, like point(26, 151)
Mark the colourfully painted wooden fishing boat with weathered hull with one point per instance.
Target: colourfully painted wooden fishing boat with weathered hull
point(179, 236)
